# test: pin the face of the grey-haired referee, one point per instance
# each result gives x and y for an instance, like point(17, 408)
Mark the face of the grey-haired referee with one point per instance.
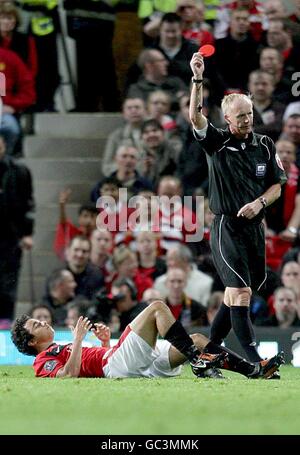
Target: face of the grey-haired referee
point(240, 118)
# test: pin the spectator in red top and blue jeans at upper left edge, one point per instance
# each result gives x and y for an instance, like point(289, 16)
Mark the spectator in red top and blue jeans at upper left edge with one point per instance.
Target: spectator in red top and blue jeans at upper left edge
point(19, 95)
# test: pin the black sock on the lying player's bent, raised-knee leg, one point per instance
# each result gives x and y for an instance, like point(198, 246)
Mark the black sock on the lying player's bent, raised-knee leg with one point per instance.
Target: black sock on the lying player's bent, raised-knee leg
point(179, 338)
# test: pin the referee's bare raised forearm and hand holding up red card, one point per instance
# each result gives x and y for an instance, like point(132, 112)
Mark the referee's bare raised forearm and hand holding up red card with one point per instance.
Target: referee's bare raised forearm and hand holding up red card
point(197, 118)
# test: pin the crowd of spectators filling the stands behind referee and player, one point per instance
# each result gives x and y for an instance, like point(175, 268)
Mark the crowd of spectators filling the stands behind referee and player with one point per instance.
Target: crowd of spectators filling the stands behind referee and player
point(129, 247)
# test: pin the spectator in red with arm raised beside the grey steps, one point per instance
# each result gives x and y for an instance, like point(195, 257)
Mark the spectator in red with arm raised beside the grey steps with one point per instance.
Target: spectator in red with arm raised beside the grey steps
point(66, 230)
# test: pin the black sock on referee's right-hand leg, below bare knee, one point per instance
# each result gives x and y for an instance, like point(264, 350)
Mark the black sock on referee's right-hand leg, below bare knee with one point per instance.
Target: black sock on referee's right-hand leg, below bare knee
point(242, 326)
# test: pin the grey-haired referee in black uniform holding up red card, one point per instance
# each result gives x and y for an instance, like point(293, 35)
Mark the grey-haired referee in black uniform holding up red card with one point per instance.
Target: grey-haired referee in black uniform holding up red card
point(245, 176)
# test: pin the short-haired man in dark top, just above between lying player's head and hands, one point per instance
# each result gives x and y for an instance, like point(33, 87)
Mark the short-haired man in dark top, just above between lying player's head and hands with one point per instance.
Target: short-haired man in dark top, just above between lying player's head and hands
point(60, 290)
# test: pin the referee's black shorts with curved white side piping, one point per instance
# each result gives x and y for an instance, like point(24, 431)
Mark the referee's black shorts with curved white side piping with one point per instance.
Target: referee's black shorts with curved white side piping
point(238, 249)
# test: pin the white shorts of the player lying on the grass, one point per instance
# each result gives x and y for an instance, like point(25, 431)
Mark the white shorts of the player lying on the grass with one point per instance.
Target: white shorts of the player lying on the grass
point(133, 357)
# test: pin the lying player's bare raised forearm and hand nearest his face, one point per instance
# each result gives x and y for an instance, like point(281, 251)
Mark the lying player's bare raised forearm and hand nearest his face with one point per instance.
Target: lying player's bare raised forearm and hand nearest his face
point(73, 365)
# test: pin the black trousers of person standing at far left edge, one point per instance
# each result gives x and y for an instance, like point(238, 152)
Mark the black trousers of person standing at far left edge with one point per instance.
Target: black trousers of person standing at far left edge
point(10, 261)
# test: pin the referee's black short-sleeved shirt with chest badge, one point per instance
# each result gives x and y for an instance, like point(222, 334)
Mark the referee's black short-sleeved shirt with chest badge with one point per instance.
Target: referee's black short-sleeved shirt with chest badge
point(240, 170)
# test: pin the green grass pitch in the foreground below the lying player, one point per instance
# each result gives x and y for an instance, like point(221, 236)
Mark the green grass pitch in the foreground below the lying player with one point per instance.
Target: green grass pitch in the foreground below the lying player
point(178, 406)
